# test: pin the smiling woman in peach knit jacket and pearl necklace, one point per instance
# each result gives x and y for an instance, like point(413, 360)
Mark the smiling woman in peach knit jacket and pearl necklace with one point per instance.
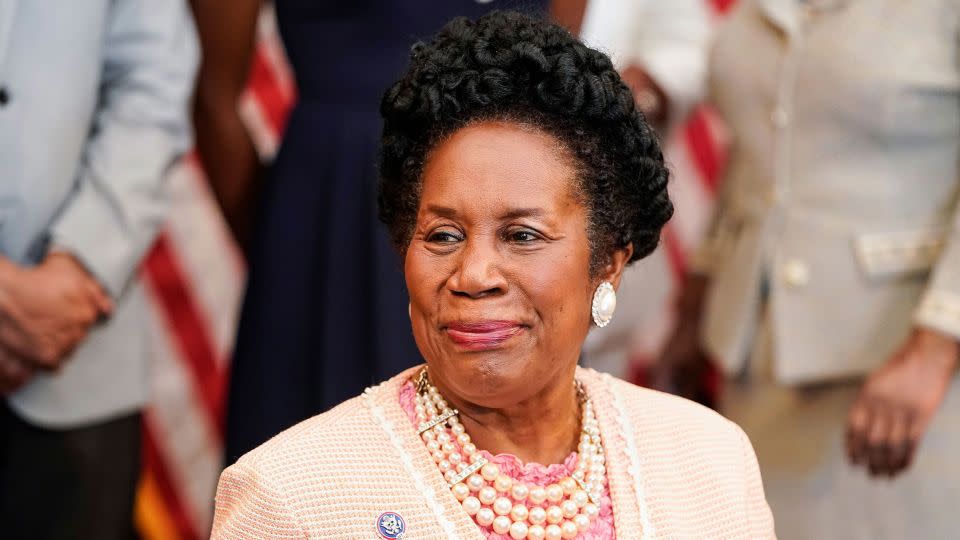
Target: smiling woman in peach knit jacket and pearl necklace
point(517, 181)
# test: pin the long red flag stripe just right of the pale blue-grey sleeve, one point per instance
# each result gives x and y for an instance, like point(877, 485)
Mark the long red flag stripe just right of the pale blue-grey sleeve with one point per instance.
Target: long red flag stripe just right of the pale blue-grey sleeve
point(188, 329)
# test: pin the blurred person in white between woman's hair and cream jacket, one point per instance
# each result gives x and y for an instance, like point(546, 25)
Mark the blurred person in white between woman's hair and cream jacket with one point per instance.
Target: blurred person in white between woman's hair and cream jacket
point(660, 49)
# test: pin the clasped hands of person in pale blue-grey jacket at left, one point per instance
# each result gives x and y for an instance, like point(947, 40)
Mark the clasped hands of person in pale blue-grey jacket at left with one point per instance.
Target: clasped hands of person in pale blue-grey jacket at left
point(47, 310)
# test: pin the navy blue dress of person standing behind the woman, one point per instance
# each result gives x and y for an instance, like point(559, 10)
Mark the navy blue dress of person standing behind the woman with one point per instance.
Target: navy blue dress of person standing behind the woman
point(325, 312)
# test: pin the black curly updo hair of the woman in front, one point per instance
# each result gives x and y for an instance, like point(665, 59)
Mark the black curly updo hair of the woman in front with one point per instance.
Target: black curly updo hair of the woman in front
point(506, 66)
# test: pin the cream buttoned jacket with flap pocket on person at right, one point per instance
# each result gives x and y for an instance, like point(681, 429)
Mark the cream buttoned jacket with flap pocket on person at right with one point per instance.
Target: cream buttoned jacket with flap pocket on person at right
point(841, 188)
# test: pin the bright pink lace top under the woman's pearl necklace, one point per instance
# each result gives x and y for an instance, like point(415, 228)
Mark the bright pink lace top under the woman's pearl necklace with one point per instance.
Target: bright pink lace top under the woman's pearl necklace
point(530, 473)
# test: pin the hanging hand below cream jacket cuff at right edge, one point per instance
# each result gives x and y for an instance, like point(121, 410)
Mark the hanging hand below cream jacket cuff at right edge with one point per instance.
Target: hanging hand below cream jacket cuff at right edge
point(898, 401)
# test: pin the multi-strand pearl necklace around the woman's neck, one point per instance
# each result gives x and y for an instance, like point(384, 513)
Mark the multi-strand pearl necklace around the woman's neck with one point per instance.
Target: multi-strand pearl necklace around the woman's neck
point(560, 510)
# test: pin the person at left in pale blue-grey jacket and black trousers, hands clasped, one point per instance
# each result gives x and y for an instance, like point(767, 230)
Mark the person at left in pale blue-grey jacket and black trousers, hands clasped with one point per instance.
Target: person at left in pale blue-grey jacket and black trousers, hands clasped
point(94, 109)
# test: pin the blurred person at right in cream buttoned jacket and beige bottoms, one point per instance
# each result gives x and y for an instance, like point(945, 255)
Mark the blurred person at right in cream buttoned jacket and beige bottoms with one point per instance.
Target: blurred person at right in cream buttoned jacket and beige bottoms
point(829, 290)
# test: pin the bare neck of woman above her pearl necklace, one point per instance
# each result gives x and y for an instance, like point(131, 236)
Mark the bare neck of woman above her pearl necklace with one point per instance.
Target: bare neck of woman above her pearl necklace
point(542, 429)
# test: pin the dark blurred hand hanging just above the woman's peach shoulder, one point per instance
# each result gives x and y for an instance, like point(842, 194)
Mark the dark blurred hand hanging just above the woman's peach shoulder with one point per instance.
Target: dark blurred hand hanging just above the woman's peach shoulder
point(683, 364)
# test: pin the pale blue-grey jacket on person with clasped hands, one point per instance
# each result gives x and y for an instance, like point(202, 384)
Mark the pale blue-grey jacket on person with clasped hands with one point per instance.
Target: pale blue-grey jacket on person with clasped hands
point(97, 111)
